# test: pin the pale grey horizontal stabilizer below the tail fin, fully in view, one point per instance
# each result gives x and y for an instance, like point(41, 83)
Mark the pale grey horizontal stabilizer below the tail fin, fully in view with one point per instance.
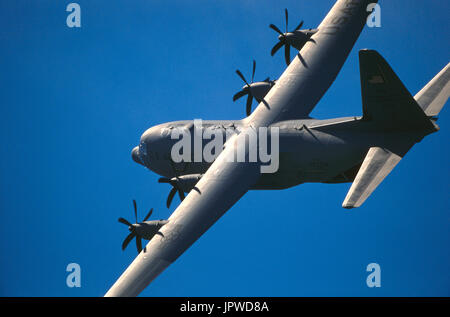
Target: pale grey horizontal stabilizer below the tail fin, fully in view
point(376, 166)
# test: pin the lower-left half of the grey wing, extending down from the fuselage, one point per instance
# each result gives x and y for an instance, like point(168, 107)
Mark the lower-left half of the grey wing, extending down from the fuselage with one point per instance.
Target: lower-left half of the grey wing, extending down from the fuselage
point(220, 188)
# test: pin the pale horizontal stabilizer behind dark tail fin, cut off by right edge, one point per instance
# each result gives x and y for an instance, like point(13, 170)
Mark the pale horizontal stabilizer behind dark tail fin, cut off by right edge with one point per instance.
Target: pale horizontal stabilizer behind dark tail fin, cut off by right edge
point(434, 95)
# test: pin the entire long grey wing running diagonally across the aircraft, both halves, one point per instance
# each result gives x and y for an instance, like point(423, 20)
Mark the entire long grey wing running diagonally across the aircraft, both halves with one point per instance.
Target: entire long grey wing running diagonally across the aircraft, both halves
point(294, 96)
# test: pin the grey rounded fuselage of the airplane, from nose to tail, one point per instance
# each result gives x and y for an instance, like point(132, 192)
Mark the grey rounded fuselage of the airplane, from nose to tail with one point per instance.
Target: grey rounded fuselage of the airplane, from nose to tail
point(310, 150)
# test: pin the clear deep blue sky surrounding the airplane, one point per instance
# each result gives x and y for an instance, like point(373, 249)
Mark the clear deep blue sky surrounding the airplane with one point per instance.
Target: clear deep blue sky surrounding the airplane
point(74, 102)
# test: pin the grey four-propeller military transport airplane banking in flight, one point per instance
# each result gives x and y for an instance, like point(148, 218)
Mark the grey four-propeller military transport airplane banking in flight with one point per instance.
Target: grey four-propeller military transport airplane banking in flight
point(360, 150)
